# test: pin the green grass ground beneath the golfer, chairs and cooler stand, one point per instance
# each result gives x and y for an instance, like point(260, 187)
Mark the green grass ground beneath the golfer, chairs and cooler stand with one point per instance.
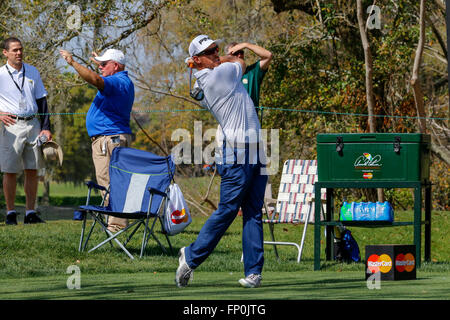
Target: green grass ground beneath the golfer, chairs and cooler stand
point(35, 258)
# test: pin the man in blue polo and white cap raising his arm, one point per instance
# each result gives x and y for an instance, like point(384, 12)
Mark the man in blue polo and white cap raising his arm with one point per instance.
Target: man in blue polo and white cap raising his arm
point(108, 118)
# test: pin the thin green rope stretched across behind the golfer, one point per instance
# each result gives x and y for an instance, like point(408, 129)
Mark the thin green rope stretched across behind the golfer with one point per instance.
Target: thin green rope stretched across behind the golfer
point(262, 108)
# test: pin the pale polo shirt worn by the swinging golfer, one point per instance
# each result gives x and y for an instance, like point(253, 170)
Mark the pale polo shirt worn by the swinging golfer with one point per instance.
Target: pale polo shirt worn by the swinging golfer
point(229, 102)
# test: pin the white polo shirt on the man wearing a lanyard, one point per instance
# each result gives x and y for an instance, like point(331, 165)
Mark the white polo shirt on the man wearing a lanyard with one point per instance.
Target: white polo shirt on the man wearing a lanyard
point(16, 100)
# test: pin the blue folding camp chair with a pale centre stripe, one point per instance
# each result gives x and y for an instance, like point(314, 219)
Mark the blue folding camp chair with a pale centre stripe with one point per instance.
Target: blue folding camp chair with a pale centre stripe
point(139, 181)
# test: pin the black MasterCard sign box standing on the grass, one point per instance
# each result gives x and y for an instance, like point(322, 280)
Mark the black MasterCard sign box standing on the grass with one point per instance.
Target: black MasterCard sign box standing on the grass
point(393, 262)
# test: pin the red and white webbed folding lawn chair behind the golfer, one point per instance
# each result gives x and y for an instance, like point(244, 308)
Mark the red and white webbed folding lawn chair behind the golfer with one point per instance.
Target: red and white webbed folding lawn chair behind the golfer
point(295, 201)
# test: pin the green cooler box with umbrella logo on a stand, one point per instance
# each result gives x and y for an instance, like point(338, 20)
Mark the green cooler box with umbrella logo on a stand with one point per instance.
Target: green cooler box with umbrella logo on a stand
point(373, 157)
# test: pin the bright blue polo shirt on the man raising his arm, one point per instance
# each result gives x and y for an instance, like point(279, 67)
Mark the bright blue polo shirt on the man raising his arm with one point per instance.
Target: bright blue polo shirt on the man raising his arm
point(109, 113)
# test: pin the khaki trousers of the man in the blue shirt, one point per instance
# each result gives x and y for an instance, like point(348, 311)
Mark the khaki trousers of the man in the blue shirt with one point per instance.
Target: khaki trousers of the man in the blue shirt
point(102, 148)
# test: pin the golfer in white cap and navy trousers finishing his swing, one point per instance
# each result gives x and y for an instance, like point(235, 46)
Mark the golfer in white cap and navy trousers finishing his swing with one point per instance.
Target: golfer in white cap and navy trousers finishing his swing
point(238, 163)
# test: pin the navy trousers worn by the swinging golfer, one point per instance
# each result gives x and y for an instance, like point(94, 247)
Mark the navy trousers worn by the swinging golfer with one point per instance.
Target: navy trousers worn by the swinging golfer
point(242, 185)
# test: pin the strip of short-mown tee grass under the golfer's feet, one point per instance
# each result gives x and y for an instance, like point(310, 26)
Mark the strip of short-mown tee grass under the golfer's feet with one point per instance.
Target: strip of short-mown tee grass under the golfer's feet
point(301, 285)
